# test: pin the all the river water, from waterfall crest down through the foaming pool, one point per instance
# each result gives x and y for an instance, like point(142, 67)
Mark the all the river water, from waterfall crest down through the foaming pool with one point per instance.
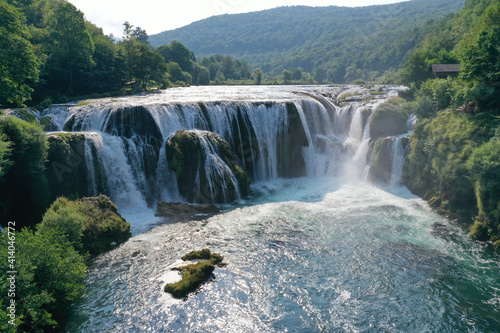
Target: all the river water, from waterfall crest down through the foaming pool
point(306, 254)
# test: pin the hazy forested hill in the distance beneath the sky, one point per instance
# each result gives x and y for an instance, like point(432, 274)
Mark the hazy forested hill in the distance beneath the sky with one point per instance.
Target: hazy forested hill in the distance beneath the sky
point(373, 38)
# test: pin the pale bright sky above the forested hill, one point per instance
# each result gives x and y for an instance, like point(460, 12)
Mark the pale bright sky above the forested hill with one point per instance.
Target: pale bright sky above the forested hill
point(159, 15)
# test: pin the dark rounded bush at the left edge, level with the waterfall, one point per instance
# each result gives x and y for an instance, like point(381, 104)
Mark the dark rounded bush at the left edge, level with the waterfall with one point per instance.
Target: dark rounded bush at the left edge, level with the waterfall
point(23, 188)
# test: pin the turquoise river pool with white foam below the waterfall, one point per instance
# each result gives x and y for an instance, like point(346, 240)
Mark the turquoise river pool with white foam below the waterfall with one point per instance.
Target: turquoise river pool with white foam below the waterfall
point(306, 255)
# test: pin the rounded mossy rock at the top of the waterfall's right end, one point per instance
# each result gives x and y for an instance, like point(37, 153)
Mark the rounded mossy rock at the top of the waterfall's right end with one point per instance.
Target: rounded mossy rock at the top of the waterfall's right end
point(388, 120)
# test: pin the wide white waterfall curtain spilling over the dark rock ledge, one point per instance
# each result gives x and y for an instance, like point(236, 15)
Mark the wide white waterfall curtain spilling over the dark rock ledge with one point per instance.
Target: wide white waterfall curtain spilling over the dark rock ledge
point(295, 135)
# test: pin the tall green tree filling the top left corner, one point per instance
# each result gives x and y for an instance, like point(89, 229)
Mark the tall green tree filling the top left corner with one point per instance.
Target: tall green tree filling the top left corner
point(18, 63)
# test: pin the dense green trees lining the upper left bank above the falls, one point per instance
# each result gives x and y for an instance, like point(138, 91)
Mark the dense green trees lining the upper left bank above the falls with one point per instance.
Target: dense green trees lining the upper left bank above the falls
point(50, 53)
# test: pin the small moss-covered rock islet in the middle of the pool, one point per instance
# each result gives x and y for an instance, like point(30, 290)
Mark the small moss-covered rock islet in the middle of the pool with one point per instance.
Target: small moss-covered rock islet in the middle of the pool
point(194, 275)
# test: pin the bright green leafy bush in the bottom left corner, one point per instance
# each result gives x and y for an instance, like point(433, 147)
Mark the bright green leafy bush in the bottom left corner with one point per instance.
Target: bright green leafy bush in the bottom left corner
point(49, 278)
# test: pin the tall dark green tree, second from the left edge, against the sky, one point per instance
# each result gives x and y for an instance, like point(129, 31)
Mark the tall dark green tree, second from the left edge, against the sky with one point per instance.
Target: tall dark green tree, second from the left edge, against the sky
point(70, 49)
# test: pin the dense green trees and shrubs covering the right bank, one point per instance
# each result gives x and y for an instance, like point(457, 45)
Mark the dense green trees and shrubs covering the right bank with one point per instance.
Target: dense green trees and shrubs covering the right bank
point(454, 159)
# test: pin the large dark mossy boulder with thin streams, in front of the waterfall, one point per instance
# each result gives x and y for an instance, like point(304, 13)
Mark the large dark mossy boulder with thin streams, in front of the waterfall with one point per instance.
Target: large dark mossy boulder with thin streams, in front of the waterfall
point(188, 153)
